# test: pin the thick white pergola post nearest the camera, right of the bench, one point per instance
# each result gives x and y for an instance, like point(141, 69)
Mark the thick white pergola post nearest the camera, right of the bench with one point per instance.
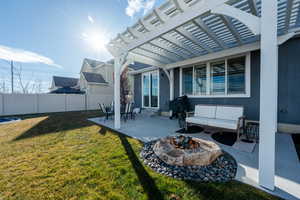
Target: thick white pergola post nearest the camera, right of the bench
point(268, 93)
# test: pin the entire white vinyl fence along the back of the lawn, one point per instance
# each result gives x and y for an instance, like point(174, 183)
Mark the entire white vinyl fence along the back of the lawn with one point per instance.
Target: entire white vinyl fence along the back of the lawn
point(20, 104)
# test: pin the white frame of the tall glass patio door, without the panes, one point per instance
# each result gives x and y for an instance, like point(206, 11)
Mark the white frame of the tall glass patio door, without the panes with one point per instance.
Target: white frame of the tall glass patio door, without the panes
point(158, 88)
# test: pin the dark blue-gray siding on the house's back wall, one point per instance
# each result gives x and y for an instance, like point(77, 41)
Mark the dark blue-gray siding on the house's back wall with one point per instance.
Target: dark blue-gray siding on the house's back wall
point(289, 81)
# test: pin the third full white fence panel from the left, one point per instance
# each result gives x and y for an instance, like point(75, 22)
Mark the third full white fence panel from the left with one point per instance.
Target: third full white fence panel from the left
point(75, 102)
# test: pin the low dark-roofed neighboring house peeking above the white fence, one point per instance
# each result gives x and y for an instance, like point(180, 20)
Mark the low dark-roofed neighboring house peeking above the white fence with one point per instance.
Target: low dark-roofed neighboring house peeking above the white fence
point(64, 85)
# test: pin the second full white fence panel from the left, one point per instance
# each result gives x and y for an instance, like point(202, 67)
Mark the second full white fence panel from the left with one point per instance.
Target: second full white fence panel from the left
point(51, 103)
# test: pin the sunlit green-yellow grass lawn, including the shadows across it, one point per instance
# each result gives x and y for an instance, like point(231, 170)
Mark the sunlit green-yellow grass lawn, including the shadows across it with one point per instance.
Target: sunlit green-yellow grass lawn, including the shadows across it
point(63, 156)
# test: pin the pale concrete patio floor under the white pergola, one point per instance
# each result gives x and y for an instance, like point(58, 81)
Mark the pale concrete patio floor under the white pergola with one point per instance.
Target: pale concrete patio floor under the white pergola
point(287, 179)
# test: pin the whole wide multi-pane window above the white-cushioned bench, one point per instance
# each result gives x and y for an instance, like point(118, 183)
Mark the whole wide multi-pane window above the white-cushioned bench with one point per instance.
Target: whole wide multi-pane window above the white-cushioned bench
point(225, 78)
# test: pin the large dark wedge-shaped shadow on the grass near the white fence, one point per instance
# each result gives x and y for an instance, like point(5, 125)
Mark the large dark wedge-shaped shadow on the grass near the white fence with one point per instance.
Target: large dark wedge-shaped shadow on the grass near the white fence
point(58, 122)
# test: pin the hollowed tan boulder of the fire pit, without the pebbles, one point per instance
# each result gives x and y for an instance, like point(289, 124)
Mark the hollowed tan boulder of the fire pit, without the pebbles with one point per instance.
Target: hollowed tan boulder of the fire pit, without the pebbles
point(186, 151)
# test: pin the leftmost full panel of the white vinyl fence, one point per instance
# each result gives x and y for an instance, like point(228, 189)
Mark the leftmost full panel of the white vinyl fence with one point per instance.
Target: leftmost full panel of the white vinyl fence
point(20, 104)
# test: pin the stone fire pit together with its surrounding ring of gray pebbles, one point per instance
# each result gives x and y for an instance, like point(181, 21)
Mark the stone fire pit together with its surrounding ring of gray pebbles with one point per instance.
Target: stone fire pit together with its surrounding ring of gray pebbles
point(187, 158)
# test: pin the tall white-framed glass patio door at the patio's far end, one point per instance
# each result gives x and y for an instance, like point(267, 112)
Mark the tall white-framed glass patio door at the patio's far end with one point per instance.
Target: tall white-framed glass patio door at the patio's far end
point(150, 89)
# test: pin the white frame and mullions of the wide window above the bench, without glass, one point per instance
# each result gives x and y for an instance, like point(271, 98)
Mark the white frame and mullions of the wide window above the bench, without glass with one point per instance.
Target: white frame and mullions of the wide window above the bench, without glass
point(247, 93)
